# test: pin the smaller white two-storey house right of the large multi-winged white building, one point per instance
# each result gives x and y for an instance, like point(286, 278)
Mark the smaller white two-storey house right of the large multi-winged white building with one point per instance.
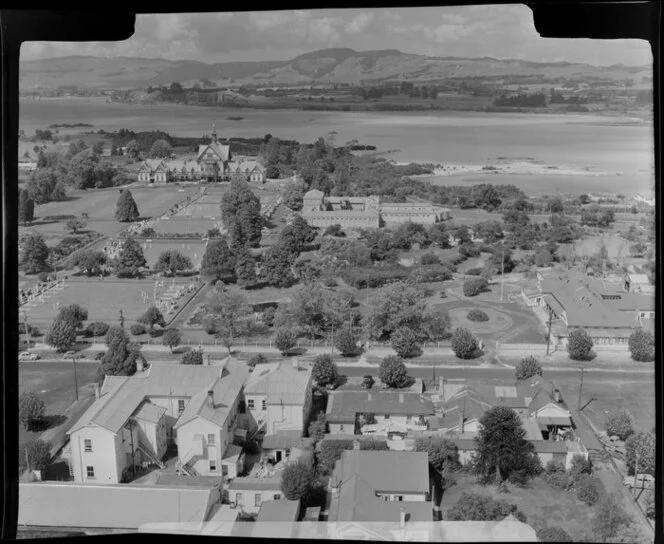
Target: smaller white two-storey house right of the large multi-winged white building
point(278, 396)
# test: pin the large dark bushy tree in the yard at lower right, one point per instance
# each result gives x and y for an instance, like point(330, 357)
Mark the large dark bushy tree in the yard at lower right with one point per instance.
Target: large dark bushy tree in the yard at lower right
point(502, 447)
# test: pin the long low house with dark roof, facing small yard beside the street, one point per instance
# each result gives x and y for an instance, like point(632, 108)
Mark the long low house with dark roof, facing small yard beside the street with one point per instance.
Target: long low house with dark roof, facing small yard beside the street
point(377, 412)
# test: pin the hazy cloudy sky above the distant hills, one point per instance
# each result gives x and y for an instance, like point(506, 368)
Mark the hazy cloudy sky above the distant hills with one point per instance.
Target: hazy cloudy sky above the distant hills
point(499, 31)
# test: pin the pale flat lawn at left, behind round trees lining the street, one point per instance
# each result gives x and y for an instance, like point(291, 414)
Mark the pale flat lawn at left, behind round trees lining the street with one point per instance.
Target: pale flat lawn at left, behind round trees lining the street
point(103, 300)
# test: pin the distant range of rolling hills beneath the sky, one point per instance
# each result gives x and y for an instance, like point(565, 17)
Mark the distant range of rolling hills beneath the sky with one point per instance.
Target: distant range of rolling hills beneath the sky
point(326, 66)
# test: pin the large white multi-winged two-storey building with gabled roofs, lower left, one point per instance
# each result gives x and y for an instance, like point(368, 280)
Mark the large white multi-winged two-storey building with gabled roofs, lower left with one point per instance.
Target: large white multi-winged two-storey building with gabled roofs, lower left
point(135, 419)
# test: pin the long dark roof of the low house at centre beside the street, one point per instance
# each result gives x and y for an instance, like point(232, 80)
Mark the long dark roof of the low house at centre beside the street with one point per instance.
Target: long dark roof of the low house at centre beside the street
point(343, 406)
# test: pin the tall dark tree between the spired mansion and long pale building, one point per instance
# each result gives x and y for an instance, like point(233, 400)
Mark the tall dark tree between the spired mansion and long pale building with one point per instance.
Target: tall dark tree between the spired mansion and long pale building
point(241, 214)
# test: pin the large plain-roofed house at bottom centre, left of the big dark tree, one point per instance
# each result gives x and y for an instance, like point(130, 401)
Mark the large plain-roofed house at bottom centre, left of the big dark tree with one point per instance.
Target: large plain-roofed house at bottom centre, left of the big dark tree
point(380, 486)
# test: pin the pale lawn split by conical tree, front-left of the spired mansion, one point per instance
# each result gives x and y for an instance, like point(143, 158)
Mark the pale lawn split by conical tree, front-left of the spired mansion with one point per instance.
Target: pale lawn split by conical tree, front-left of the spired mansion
point(100, 203)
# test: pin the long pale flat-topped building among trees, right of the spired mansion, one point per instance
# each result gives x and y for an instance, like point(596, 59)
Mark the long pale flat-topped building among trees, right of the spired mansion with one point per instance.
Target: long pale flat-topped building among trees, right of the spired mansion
point(365, 212)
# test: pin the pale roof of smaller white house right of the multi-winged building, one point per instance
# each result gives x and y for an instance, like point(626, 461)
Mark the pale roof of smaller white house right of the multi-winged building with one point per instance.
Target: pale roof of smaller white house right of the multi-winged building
point(280, 382)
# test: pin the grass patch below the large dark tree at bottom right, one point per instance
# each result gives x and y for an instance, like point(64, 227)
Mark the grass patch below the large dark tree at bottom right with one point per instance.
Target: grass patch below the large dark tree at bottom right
point(543, 505)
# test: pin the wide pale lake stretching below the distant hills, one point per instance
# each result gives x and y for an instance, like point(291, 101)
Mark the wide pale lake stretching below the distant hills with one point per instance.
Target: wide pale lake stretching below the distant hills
point(572, 140)
